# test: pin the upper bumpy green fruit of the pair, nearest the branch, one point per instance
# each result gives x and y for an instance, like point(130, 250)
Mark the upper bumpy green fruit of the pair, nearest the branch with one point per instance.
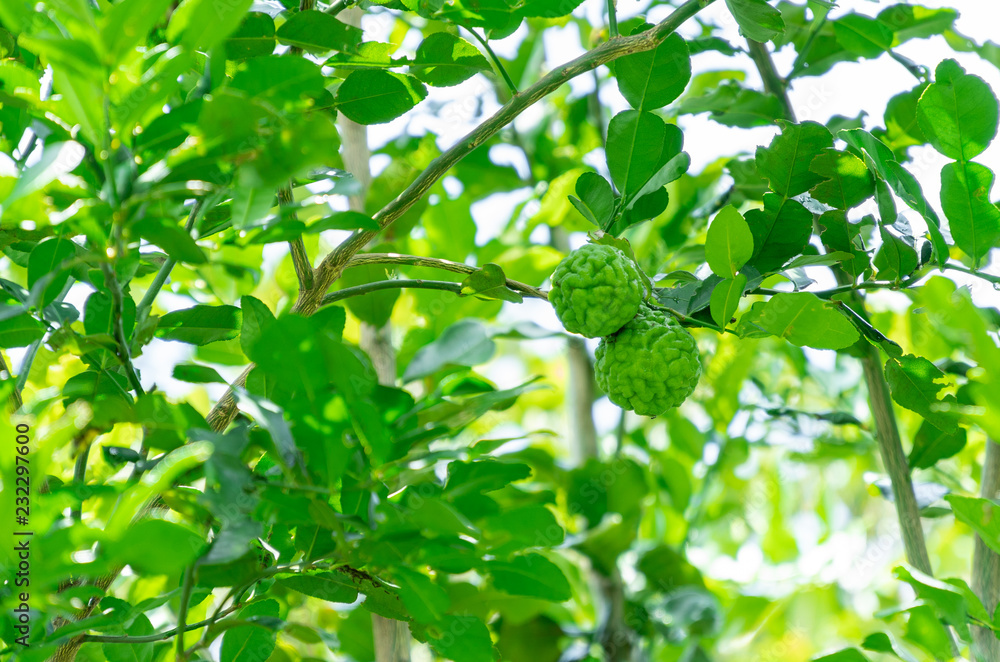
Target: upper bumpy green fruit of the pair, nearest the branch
point(596, 290)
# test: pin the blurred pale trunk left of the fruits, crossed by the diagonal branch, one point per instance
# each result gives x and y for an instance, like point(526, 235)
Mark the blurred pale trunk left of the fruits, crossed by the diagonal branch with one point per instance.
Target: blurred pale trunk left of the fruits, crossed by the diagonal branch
point(392, 638)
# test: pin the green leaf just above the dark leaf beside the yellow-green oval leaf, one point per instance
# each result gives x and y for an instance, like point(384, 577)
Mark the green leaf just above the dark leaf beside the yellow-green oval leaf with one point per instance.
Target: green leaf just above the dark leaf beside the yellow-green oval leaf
point(785, 162)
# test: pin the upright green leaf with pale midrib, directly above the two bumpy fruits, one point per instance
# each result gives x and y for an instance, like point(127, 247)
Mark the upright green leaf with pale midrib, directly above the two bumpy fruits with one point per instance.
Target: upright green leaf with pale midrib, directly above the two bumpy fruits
point(634, 148)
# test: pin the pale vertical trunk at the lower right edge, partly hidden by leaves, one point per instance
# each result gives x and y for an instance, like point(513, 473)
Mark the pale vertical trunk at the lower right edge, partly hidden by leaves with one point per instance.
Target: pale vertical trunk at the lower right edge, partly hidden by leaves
point(986, 562)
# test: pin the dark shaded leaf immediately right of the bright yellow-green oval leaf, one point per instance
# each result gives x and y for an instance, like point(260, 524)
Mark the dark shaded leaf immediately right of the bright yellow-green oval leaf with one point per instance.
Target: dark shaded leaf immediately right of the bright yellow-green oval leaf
point(781, 230)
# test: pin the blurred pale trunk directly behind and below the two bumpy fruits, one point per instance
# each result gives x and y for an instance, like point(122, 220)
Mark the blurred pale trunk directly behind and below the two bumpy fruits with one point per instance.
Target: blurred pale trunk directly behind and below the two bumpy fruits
point(616, 638)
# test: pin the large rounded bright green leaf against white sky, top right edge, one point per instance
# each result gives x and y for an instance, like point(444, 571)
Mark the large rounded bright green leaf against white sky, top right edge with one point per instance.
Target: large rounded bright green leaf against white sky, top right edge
point(958, 112)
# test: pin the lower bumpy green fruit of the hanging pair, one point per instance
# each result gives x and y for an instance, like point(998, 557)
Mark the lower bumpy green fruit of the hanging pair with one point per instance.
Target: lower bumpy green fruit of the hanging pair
point(651, 366)
